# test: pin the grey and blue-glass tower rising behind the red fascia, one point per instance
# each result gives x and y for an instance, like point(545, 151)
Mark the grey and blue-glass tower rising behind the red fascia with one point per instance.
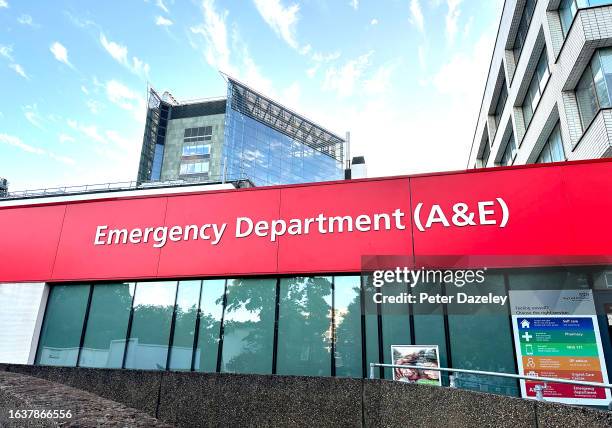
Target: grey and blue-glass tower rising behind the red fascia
point(244, 136)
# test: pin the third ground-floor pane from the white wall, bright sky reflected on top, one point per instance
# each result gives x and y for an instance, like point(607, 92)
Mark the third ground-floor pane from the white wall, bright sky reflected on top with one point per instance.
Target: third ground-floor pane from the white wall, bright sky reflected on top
point(151, 320)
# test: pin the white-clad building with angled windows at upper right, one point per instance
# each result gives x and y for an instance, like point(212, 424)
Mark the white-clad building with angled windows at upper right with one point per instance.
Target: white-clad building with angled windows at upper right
point(548, 95)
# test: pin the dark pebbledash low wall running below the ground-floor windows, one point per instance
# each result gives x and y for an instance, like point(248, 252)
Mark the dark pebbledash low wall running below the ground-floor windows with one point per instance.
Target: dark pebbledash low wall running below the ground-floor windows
point(199, 399)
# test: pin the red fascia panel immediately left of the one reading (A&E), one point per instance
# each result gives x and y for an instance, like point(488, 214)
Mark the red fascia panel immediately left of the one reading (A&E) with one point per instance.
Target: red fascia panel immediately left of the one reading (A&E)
point(342, 252)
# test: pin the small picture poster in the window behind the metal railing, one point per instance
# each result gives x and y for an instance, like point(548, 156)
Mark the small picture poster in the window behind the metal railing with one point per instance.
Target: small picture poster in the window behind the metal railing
point(416, 355)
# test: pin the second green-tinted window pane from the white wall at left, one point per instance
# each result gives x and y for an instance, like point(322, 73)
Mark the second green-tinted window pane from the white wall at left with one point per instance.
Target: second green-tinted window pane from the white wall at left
point(107, 323)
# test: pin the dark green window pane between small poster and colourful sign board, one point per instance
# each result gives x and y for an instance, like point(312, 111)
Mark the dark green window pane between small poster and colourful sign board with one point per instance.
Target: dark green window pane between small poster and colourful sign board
point(481, 339)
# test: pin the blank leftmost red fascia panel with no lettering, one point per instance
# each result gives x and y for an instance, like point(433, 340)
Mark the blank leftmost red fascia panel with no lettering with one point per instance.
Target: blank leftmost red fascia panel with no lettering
point(28, 242)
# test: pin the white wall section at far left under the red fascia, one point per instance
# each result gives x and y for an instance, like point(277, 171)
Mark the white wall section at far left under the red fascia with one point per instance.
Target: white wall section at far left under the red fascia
point(22, 309)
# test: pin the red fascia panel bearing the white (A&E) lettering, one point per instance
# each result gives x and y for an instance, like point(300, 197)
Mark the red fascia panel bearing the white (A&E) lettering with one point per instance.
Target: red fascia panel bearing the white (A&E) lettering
point(538, 228)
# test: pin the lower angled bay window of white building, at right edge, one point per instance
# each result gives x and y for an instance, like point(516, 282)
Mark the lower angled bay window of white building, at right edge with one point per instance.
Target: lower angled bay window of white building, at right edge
point(595, 86)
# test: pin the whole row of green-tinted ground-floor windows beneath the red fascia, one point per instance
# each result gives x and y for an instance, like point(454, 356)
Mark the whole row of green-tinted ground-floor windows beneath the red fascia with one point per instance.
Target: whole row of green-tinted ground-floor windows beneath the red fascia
point(314, 326)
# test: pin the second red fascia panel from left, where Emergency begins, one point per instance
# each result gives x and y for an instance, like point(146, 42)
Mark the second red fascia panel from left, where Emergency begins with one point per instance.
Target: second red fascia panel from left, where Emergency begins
point(78, 258)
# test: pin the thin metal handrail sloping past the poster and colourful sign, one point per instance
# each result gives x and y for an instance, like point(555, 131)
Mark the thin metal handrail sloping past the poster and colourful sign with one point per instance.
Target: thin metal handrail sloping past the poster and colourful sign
point(538, 388)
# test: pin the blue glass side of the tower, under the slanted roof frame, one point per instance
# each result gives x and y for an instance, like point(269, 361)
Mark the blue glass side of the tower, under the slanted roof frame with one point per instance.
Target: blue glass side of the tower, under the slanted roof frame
point(267, 156)
